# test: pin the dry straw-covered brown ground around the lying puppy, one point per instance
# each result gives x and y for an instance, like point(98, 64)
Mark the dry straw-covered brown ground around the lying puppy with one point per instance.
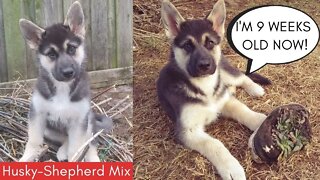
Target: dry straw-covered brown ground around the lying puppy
point(158, 156)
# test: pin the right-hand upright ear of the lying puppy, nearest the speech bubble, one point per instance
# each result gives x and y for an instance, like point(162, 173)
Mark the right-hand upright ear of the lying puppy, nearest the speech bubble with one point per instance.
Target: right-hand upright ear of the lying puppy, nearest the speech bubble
point(218, 16)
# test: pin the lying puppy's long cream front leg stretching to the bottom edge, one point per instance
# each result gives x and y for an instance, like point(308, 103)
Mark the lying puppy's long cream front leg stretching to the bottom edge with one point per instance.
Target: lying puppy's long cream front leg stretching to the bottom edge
point(190, 129)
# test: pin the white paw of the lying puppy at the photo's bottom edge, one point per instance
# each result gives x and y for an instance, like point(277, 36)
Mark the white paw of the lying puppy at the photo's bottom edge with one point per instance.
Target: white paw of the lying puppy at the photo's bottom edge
point(231, 170)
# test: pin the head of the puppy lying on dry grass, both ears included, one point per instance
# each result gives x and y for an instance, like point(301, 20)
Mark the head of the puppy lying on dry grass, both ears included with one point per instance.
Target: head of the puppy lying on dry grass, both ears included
point(195, 43)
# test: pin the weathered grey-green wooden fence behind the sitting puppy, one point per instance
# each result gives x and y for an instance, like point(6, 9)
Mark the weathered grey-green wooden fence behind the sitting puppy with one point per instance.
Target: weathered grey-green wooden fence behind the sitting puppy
point(108, 34)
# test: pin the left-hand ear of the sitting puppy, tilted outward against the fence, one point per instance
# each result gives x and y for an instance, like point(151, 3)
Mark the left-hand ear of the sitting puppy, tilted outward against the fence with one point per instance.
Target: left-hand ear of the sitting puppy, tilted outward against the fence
point(31, 33)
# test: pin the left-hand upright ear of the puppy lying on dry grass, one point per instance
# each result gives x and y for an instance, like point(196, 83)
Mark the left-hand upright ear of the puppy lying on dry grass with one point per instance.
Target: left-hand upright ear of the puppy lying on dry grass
point(171, 19)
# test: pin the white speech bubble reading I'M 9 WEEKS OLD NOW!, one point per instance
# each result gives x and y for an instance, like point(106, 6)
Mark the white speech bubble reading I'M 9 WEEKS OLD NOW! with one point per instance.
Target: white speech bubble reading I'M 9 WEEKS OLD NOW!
point(272, 35)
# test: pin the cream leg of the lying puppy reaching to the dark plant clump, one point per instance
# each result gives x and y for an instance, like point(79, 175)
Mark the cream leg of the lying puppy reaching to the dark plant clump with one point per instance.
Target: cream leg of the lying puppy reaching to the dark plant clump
point(240, 112)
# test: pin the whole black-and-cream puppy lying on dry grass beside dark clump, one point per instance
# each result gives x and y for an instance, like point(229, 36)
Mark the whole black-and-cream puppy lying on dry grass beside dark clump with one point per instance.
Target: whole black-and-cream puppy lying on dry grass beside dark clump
point(193, 88)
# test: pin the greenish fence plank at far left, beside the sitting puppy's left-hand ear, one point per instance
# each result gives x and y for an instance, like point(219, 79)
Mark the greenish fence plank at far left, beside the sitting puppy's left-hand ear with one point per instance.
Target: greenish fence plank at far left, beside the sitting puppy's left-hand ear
point(14, 42)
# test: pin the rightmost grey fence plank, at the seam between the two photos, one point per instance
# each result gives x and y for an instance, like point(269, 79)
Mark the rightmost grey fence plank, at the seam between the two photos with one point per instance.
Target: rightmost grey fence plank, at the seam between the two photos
point(124, 32)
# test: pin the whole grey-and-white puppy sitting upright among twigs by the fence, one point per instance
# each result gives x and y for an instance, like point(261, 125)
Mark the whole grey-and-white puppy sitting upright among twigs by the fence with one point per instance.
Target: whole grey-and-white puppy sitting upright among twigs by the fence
point(60, 105)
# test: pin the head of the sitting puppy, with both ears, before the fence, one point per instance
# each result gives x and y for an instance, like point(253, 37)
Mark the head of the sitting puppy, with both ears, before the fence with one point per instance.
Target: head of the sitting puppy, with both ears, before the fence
point(60, 47)
